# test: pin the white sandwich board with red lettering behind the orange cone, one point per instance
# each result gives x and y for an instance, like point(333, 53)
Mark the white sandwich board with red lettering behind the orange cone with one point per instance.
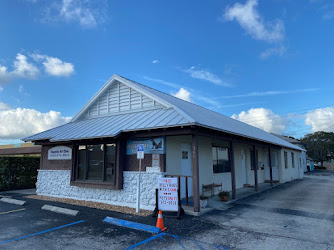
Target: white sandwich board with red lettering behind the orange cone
point(167, 194)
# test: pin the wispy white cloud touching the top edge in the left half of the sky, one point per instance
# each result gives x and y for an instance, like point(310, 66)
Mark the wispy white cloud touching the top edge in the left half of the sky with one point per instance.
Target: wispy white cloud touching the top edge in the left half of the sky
point(88, 14)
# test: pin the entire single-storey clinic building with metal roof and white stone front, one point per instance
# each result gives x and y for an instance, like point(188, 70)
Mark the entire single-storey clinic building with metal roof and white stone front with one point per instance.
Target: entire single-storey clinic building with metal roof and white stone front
point(94, 156)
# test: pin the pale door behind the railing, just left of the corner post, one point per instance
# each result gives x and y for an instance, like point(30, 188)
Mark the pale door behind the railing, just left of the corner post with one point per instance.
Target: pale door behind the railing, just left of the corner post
point(186, 169)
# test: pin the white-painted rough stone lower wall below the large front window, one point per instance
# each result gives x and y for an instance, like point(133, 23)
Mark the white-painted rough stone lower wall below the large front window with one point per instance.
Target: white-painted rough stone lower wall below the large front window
point(56, 183)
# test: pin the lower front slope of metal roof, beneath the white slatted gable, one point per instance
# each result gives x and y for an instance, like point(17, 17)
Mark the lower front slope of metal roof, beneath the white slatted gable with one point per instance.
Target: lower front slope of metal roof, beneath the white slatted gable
point(110, 126)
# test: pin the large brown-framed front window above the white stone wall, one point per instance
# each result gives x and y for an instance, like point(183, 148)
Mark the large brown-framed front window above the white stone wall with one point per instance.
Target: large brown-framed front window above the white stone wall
point(96, 163)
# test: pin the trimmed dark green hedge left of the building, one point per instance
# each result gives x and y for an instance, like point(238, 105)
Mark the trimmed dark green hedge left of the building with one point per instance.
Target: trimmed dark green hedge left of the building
point(18, 172)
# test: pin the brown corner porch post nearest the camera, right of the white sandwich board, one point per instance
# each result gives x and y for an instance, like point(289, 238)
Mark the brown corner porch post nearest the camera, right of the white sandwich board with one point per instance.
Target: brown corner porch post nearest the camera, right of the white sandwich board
point(195, 172)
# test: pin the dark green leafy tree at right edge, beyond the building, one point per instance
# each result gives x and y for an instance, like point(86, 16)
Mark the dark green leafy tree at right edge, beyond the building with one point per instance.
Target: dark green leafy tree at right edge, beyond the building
point(320, 146)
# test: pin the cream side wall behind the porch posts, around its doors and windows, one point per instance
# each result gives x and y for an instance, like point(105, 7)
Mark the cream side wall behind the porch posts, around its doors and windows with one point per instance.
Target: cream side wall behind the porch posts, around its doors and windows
point(206, 175)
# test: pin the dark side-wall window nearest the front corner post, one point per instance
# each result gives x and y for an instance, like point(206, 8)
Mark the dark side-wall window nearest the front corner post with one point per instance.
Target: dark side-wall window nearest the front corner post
point(221, 162)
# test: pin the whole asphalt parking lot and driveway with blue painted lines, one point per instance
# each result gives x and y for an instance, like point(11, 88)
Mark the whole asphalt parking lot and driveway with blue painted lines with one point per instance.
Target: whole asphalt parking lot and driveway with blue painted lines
point(296, 215)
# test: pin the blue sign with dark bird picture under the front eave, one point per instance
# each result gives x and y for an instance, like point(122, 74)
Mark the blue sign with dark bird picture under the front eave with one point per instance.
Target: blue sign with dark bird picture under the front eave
point(151, 146)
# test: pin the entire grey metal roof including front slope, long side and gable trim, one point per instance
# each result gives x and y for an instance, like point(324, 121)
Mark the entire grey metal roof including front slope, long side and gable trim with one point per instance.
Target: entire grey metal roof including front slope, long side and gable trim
point(178, 112)
